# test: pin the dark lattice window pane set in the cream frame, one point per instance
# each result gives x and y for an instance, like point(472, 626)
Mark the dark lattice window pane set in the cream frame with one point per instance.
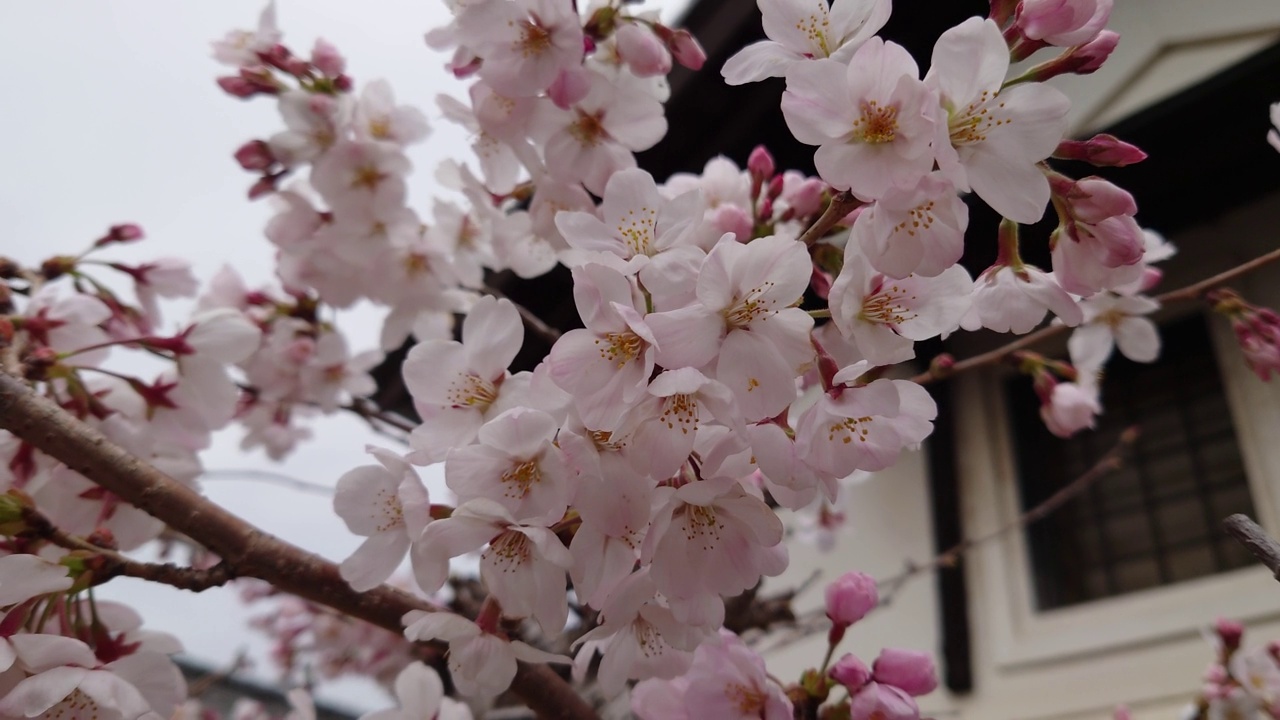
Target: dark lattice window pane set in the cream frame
point(1158, 521)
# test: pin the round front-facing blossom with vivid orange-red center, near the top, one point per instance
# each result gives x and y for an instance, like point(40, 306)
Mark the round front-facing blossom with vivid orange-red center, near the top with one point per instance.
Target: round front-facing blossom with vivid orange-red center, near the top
point(872, 119)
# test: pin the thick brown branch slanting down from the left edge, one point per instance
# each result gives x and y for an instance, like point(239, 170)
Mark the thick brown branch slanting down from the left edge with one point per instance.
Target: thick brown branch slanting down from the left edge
point(248, 550)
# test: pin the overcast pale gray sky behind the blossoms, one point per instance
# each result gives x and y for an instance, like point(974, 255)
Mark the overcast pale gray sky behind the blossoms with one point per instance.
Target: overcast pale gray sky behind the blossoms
point(113, 116)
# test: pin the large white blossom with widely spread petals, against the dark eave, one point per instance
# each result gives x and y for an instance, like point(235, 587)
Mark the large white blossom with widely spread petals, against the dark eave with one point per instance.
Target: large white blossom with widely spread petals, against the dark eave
point(990, 139)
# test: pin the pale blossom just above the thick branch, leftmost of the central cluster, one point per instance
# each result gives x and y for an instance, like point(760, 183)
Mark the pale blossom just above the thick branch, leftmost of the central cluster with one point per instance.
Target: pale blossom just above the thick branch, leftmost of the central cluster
point(390, 507)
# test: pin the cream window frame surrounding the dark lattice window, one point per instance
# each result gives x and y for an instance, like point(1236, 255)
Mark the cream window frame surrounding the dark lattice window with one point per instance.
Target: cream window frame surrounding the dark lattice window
point(1000, 572)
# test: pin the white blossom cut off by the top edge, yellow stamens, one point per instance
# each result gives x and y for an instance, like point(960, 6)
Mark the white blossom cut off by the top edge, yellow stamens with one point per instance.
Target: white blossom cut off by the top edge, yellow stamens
point(803, 30)
